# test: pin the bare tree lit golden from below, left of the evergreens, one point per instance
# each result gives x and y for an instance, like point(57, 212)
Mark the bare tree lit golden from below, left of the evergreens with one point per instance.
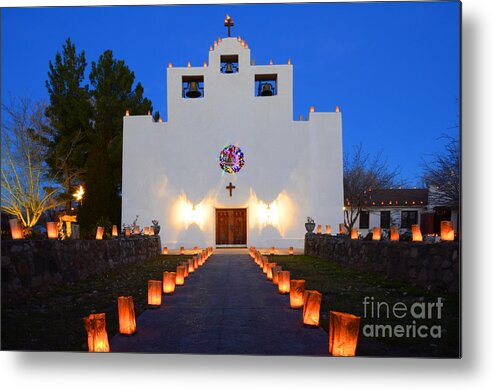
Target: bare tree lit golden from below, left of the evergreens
point(26, 192)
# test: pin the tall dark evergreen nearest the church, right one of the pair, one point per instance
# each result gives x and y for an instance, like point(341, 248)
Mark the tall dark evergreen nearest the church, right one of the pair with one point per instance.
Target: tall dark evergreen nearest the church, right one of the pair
point(112, 94)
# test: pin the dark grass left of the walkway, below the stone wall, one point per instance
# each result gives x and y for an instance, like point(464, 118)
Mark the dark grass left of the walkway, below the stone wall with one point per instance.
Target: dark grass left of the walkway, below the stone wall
point(52, 321)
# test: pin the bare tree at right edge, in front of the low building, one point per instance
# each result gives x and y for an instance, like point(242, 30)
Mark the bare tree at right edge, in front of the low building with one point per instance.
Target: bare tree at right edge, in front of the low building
point(442, 175)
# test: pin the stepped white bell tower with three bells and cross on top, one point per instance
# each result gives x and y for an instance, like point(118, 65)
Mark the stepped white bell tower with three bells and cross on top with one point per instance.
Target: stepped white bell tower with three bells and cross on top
point(230, 84)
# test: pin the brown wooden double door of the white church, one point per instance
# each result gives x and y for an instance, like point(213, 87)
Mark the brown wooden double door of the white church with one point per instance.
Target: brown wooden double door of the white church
point(231, 226)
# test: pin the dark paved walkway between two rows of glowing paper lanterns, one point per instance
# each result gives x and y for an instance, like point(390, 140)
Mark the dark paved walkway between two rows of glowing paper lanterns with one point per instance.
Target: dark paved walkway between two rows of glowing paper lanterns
point(226, 307)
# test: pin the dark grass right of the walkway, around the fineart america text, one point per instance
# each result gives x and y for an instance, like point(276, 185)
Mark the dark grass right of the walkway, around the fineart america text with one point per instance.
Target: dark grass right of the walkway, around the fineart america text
point(343, 289)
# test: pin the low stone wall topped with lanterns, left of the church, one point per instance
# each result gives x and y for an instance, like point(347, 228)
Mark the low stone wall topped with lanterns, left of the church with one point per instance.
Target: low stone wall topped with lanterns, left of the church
point(30, 266)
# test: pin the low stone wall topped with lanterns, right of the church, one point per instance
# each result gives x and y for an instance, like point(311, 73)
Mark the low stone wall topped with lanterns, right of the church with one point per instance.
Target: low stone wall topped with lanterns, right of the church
point(432, 266)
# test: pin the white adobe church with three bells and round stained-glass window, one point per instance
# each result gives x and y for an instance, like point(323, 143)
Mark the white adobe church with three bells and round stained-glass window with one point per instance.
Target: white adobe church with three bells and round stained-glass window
point(231, 167)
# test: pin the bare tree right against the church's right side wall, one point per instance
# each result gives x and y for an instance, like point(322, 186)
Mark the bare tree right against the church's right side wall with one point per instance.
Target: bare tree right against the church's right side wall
point(361, 174)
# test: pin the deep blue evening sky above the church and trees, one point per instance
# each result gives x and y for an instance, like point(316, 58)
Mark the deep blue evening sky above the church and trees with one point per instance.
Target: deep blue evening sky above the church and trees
point(393, 68)
